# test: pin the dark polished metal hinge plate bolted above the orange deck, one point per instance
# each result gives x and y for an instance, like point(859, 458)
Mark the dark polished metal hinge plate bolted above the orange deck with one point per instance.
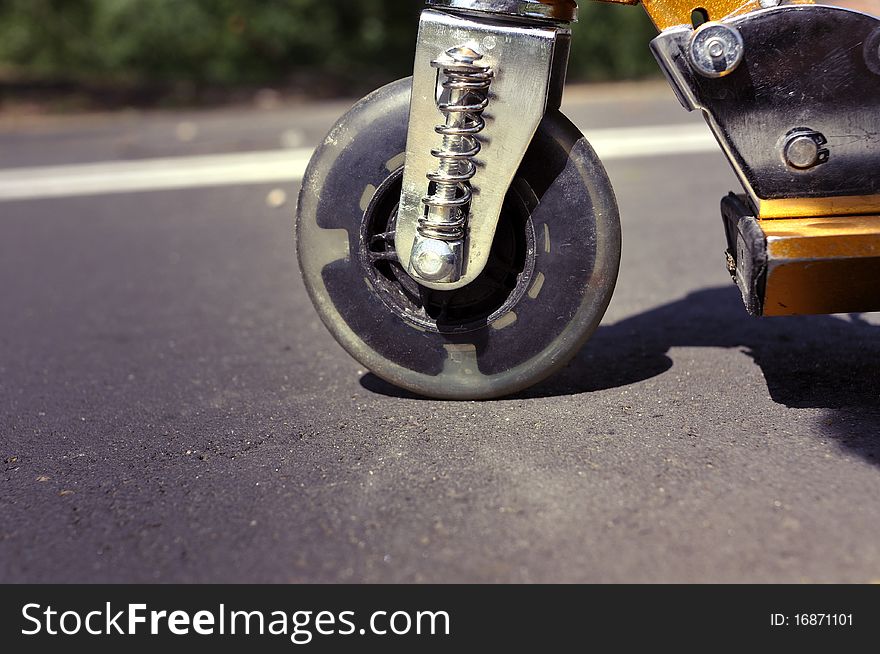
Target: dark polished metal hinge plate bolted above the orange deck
point(803, 67)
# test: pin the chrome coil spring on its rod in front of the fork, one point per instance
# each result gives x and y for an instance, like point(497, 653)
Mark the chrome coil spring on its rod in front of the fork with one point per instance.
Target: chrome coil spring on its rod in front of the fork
point(465, 84)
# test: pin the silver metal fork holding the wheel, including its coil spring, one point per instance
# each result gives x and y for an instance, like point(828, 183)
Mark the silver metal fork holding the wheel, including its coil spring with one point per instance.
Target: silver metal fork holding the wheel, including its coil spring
point(460, 164)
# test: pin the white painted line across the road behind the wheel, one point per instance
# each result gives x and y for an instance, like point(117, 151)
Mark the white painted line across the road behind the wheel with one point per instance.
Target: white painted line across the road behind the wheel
point(286, 166)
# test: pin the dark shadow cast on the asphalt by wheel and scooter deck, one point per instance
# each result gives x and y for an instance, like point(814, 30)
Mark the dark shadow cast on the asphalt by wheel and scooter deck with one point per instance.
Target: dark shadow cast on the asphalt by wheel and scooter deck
point(827, 362)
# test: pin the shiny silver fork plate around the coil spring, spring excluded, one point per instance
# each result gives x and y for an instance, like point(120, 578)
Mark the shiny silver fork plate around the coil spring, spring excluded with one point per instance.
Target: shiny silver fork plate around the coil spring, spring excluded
point(523, 56)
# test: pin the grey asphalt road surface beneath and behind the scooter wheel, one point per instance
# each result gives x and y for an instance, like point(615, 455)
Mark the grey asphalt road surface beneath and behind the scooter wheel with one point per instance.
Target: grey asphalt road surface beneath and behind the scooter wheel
point(171, 408)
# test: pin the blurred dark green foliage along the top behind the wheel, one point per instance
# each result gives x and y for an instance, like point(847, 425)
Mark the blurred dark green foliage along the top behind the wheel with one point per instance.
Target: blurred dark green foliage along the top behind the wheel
point(324, 45)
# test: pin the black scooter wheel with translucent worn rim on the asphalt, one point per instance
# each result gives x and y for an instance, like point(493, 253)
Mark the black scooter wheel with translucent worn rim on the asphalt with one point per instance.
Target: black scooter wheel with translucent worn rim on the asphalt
point(550, 276)
